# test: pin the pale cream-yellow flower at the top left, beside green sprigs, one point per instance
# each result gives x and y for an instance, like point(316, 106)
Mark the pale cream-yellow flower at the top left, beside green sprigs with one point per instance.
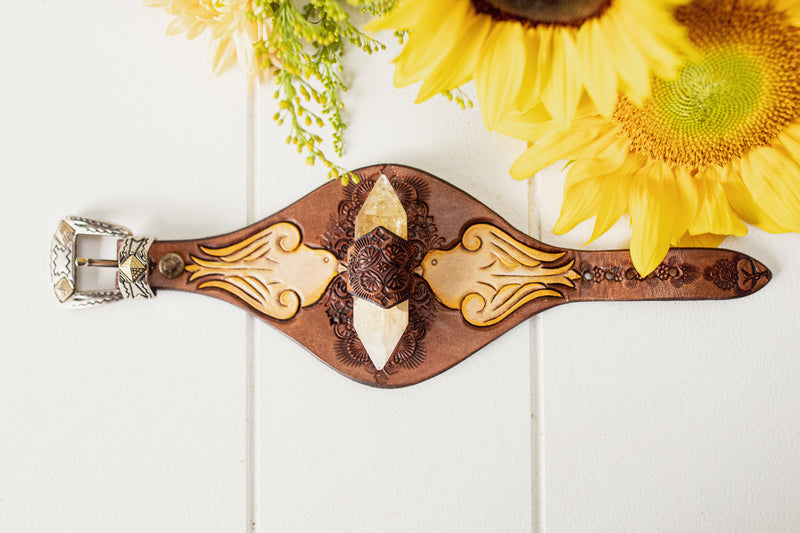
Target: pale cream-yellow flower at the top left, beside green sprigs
point(235, 32)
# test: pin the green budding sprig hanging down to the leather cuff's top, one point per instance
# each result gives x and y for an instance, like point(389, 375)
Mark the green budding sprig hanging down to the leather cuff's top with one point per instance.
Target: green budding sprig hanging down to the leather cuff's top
point(309, 42)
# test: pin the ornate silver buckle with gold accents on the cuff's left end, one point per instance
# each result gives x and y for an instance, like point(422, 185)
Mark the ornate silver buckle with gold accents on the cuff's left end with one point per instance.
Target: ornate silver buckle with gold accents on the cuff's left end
point(132, 263)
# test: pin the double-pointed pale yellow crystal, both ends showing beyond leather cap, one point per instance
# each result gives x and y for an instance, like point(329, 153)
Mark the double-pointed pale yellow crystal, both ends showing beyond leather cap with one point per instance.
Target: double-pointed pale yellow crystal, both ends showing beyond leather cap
point(380, 329)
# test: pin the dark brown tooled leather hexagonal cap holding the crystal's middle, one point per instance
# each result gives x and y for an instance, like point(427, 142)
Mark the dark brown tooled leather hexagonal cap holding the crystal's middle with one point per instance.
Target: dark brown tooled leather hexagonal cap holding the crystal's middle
point(380, 267)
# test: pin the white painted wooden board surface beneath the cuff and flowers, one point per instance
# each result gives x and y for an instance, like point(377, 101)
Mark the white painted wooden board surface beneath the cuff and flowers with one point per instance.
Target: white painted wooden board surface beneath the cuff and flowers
point(184, 414)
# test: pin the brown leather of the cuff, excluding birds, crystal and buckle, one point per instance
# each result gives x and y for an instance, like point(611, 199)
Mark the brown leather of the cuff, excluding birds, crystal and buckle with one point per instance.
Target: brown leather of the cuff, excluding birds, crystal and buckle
point(438, 336)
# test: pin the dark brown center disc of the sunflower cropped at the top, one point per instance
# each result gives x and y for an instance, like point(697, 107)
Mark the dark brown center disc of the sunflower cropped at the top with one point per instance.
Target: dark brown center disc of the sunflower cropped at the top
point(543, 11)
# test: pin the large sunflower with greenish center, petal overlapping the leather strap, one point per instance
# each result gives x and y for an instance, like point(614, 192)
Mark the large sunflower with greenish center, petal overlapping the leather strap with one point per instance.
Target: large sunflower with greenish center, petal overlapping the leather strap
point(716, 146)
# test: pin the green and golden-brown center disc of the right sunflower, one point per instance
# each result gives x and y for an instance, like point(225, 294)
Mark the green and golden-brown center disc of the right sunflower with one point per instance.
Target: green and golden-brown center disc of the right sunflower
point(738, 94)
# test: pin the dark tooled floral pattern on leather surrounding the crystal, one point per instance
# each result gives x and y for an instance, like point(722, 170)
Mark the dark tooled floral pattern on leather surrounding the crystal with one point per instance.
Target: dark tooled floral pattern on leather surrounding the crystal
point(422, 236)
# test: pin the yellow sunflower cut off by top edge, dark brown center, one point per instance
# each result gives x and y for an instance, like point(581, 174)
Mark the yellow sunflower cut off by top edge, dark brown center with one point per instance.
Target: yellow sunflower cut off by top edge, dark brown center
point(521, 52)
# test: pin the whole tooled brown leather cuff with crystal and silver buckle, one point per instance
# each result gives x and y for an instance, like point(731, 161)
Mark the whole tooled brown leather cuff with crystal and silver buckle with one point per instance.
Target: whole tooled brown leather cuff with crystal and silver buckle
point(393, 279)
